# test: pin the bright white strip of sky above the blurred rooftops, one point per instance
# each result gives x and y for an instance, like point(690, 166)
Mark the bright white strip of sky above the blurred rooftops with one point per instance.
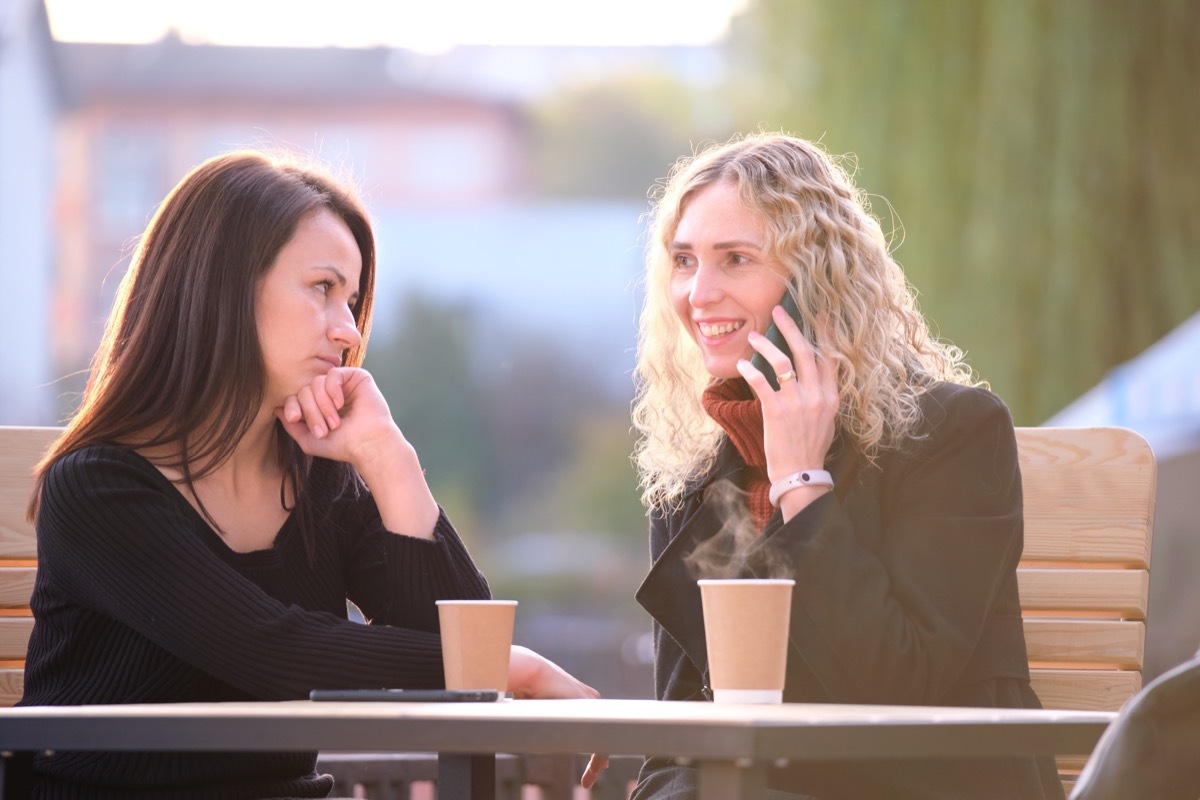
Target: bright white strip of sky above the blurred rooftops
point(425, 27)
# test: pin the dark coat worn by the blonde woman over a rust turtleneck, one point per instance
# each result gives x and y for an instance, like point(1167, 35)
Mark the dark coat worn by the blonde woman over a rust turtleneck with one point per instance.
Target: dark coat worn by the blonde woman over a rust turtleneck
point(905, 594)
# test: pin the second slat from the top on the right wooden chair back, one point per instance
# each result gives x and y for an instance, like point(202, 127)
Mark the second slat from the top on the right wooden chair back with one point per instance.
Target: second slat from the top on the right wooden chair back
point(1121, 593)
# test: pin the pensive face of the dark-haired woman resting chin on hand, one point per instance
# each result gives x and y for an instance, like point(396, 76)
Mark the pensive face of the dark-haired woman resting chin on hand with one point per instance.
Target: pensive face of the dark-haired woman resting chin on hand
point(304, 305)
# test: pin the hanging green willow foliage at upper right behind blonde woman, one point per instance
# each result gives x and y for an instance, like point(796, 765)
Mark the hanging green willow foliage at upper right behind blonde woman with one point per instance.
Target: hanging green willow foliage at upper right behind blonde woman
point(1041, 155)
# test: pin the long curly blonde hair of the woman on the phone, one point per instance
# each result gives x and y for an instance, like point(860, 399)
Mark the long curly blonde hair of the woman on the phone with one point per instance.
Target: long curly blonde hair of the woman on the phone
point(820, 226)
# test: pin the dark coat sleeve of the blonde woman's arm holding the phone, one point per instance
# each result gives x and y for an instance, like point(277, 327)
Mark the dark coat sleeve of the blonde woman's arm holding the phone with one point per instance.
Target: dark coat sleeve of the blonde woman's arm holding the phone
point(892, 601)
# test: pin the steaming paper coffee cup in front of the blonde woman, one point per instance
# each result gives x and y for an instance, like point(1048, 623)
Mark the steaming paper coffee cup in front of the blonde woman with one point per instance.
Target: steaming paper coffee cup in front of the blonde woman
point(746, 624)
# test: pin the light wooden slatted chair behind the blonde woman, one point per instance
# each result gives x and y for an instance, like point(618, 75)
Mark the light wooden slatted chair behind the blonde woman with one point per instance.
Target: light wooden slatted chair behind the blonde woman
point(1085, 572)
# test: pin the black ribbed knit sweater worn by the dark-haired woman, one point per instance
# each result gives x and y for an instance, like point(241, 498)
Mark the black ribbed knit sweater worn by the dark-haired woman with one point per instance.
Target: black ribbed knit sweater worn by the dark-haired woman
point(139, 600)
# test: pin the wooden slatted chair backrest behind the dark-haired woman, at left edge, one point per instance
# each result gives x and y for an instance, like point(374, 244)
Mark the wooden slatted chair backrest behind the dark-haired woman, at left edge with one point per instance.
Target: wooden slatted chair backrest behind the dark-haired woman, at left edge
point(21, 449)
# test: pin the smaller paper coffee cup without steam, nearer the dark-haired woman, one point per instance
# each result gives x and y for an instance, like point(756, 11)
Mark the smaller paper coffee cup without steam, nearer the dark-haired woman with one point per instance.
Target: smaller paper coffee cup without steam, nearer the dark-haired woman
point(477, 639)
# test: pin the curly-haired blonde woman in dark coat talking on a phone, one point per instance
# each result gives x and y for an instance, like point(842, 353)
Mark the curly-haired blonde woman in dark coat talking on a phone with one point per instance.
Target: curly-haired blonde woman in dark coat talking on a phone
point(875, 472)
